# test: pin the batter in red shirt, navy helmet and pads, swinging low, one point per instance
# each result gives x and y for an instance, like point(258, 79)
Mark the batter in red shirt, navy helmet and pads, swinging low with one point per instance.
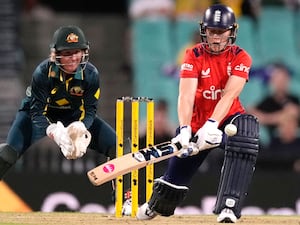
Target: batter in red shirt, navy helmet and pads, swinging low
point(212, 76)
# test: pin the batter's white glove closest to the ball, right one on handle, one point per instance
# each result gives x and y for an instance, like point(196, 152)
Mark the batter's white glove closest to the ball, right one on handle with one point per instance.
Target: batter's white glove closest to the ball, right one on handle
point(209, 136)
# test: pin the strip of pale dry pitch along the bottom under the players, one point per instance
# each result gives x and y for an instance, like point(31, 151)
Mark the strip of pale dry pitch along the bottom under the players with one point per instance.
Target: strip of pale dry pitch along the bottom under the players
point(67, 218)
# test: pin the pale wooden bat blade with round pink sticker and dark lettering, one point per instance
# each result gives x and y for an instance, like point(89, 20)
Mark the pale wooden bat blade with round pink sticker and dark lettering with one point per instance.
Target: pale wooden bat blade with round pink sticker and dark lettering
point(131, 161)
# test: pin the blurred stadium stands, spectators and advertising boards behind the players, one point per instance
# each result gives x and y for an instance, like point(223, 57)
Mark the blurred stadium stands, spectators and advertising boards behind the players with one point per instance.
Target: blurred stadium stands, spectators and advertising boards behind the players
point(137, 46)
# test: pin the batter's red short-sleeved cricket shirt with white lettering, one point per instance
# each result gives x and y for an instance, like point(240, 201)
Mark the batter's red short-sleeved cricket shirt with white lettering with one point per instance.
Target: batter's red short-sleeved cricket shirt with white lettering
point(213, 71)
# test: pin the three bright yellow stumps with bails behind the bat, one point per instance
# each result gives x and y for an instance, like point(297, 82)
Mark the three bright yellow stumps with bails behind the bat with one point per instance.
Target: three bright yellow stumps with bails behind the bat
point(135, 106)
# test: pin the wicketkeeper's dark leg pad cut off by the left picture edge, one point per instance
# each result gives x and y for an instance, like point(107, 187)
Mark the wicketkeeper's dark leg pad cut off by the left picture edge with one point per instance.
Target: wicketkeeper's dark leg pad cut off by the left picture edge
point(8, 157)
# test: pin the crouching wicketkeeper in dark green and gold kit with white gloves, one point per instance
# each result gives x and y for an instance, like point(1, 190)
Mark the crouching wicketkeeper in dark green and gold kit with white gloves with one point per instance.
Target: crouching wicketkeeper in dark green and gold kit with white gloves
point(61, 103)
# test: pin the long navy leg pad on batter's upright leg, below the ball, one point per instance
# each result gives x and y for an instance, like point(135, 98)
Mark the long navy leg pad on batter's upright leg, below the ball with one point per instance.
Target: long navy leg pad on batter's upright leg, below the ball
point(239, 164)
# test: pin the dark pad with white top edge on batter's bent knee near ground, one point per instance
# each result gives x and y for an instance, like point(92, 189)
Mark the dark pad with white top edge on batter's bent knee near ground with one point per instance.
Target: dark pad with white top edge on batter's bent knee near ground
point(166, 197)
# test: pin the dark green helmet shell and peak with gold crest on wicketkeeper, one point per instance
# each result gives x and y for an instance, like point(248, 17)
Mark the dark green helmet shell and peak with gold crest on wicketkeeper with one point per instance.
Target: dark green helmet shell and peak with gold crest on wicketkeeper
point(69, 37)
